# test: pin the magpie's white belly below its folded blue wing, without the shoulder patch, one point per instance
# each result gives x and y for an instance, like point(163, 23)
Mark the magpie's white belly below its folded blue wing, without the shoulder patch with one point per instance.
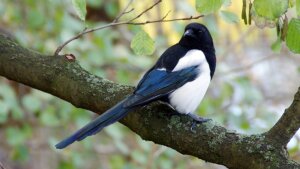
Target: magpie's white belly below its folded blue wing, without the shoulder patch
point(187, 98)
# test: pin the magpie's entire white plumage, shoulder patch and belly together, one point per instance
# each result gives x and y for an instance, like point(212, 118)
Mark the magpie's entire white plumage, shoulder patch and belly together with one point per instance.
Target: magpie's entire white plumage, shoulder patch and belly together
point(187, 98)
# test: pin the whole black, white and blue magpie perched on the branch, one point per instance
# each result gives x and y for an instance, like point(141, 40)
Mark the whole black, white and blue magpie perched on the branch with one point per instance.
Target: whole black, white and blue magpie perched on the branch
point(179, 78)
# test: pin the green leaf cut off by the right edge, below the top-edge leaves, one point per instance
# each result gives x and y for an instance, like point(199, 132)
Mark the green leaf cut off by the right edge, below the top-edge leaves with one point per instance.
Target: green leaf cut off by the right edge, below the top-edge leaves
point(293, 36)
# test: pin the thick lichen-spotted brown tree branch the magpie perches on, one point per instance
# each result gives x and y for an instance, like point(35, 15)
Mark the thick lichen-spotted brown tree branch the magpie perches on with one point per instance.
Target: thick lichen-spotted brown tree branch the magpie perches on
point(156, 122)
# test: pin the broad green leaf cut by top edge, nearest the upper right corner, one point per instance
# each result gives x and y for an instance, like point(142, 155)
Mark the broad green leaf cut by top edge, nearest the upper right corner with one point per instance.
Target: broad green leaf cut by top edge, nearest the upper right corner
point(270, 9)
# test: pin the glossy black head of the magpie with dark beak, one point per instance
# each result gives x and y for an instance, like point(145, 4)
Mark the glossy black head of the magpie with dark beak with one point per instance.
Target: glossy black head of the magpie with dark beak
point(197, 36)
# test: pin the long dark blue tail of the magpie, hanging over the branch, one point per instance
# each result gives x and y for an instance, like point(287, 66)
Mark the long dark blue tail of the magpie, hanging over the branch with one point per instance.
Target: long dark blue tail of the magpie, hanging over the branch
point(110, 116)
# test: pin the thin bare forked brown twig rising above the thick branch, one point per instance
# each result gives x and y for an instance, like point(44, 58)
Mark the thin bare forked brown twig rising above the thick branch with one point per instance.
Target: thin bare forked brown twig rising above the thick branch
point(128, 22)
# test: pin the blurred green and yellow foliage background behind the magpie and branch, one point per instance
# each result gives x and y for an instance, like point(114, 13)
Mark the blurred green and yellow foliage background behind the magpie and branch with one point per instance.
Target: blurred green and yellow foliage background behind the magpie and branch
point(252, 85)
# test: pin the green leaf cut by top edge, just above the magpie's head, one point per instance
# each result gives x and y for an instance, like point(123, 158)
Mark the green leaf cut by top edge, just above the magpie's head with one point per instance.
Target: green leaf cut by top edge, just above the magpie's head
point(208, 6)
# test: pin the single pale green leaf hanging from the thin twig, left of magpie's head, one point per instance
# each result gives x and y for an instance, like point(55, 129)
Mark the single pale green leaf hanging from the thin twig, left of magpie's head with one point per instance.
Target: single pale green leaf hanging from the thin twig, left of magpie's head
point(142, 44)
